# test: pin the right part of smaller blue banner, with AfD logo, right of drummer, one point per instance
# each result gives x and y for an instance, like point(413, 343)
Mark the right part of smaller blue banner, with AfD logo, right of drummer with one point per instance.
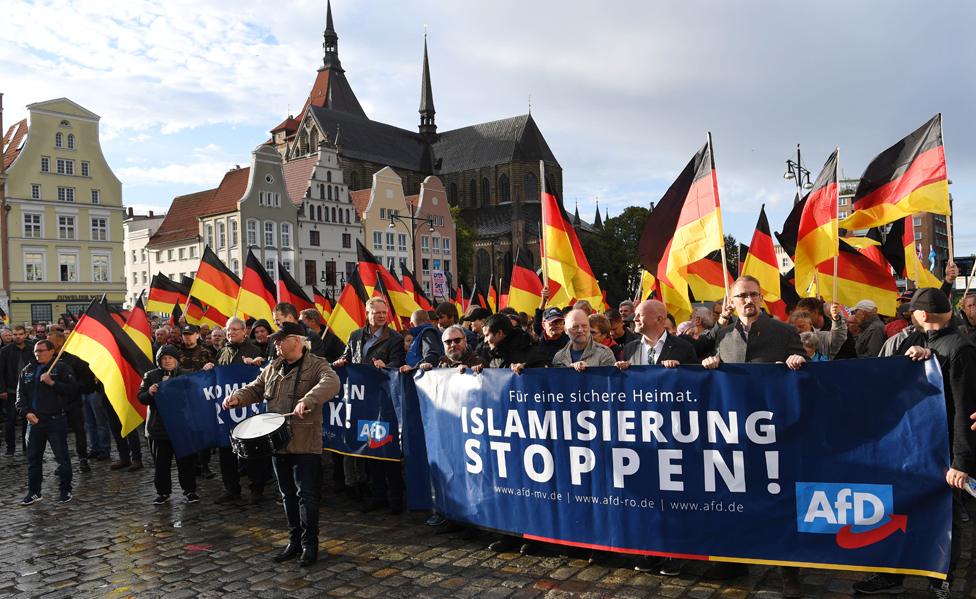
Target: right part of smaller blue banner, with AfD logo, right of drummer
point(362, 419)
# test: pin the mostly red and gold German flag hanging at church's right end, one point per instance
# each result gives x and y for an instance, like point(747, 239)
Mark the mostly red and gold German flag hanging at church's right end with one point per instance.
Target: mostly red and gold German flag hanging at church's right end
point(563, 255)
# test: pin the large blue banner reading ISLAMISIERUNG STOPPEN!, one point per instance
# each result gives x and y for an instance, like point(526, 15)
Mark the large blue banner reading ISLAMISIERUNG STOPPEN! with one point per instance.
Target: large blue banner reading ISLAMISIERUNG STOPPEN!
point(839, 464)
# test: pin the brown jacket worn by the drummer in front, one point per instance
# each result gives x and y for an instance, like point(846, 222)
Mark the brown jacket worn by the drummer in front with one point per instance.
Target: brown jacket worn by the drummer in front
point(317, 383)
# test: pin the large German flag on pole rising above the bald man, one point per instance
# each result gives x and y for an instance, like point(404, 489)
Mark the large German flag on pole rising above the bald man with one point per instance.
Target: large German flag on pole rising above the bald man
point(685, 226)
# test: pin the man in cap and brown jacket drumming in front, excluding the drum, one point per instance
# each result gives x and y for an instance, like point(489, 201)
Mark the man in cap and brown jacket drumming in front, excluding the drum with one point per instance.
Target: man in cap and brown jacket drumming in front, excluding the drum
point(297, 382)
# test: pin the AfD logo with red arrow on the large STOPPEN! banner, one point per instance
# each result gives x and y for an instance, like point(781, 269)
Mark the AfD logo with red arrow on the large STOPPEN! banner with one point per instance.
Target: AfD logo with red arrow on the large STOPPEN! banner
point(858, 514)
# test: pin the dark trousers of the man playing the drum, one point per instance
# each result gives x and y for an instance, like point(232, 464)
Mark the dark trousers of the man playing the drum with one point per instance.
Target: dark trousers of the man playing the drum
point(300, 480)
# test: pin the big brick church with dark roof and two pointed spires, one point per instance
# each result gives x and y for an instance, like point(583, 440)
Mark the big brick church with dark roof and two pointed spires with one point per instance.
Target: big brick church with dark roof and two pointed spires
point(489, 170)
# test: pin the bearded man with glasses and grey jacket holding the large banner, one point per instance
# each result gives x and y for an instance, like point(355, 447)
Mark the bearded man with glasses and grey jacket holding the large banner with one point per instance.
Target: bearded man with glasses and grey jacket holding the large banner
point(754, 336)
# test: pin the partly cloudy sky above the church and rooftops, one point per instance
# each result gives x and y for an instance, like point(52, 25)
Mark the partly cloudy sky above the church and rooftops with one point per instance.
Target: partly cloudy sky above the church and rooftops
point(624, 91)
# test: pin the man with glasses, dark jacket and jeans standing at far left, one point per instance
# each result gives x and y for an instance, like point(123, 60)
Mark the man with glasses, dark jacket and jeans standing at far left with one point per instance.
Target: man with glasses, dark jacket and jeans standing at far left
point(43, 392)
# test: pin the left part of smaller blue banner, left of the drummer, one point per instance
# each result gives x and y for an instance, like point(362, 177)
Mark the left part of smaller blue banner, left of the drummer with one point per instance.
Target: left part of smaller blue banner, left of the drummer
point(191, 407)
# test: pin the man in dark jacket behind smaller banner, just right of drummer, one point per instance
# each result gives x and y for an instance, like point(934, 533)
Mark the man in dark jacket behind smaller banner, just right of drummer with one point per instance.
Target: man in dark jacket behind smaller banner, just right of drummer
point(381, 346)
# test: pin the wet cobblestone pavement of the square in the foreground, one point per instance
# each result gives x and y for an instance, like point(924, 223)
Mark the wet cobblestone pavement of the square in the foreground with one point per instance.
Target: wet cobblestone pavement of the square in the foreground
point(112, 542)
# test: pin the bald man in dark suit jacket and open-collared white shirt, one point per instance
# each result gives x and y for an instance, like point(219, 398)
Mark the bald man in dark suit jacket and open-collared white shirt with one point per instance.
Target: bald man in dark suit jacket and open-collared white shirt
point(655, 345)
